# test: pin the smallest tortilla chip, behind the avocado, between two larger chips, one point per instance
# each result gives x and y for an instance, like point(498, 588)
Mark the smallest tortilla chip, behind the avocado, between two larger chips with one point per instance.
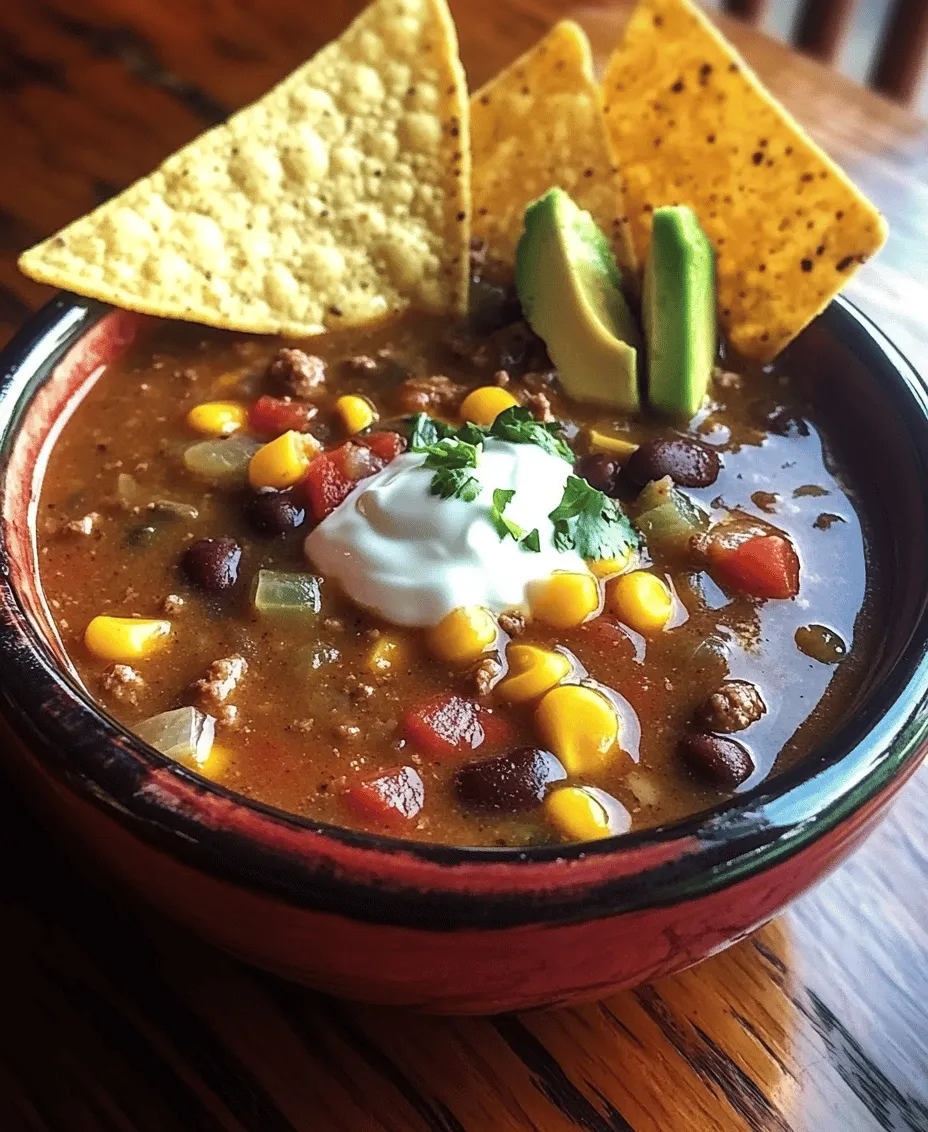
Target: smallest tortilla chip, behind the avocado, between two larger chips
point(539, 124)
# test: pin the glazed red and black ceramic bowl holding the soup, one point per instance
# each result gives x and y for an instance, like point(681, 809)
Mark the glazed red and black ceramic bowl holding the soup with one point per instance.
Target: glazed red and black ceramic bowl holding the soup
point(457, 930)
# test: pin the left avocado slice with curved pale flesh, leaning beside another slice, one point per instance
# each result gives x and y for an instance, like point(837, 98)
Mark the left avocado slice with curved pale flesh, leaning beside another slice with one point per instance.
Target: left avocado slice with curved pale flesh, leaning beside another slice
point(570, 287)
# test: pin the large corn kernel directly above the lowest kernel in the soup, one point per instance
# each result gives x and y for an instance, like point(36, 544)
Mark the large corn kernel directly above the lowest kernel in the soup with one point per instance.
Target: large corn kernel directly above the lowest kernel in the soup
point(580, 726)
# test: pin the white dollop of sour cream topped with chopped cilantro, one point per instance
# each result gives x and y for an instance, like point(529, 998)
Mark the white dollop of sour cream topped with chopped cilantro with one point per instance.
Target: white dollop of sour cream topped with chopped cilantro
point(396, 548)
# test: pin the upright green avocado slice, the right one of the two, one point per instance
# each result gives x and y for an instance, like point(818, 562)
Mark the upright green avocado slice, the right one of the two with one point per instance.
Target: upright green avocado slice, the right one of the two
point(678, 307)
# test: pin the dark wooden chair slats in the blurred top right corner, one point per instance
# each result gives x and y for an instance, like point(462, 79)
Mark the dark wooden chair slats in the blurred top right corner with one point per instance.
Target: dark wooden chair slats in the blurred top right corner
point(900, 58)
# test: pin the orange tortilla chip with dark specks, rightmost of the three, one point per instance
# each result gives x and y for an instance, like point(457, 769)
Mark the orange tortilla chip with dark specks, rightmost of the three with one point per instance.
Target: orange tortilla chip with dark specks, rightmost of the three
point(691, 124)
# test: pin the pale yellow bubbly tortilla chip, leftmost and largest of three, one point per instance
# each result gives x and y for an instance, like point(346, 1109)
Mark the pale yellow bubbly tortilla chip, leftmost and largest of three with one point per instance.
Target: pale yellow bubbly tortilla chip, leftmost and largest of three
point(342, 195)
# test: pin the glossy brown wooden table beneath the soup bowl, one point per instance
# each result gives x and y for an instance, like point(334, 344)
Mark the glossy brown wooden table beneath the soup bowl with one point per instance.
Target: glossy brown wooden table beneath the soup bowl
point(115, 1024)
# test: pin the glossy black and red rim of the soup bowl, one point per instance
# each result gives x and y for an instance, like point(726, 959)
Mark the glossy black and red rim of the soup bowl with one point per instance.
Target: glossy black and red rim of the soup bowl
point(392, 880)
